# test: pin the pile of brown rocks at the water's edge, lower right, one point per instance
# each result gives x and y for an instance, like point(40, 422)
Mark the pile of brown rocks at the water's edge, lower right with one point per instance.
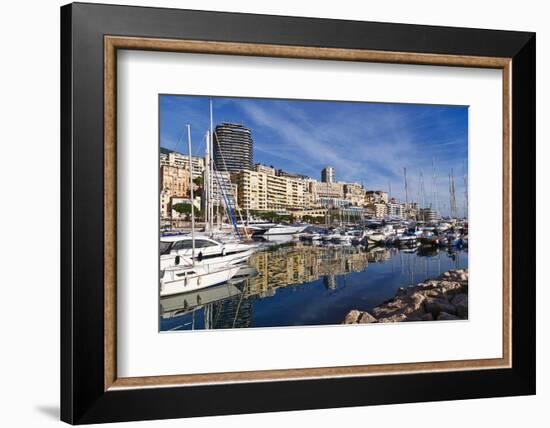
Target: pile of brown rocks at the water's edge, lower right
point(443, 298)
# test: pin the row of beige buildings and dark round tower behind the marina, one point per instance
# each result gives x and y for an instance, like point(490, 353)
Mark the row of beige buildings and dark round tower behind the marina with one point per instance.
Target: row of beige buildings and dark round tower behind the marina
point(258, 188)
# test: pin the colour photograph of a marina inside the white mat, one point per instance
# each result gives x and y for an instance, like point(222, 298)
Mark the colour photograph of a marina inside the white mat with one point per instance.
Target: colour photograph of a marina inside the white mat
point(284, 213)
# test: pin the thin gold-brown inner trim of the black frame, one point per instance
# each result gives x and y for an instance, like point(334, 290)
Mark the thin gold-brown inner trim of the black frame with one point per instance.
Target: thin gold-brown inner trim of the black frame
point(113, 43)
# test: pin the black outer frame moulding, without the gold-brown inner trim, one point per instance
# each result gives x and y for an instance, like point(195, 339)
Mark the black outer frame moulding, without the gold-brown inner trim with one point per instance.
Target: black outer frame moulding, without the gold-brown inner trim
point(83, 399)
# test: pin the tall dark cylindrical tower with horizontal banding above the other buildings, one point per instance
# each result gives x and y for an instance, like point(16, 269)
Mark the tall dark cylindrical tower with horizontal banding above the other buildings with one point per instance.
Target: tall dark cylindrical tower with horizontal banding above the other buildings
point(233, 148)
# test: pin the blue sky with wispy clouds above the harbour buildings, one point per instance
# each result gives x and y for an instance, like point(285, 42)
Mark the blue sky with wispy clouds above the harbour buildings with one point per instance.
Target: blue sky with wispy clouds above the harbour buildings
point(367, 143)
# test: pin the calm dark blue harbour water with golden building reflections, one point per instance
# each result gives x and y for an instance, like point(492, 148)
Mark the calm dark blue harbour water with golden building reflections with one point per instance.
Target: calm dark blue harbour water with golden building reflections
point(299, 284)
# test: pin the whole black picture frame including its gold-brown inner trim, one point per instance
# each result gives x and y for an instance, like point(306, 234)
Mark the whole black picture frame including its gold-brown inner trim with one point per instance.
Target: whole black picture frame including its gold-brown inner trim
point(91, 391)
